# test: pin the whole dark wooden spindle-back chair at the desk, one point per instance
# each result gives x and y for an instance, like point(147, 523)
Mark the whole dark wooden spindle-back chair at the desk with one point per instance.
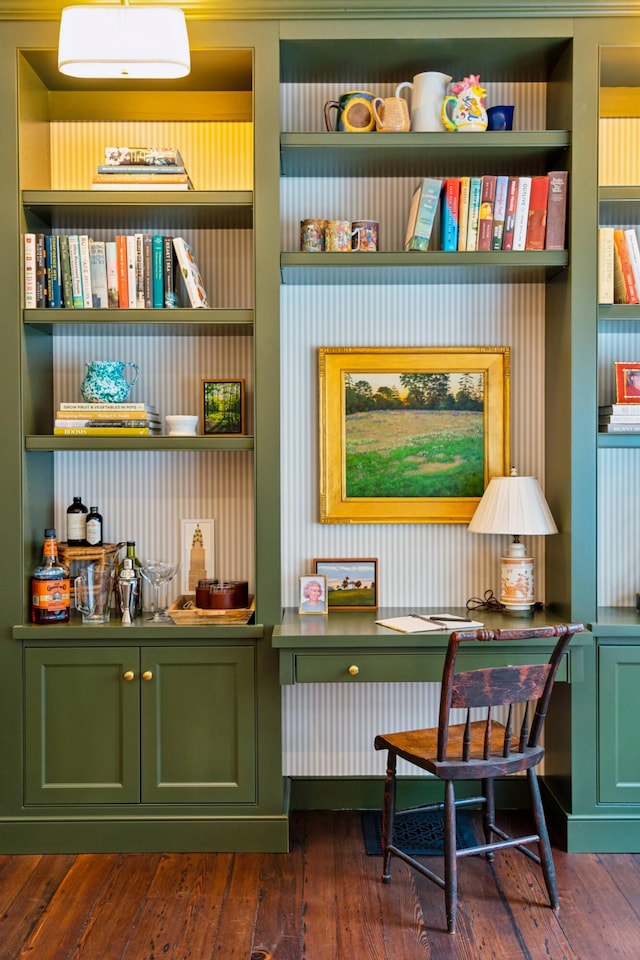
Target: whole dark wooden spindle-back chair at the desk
point(479, 749)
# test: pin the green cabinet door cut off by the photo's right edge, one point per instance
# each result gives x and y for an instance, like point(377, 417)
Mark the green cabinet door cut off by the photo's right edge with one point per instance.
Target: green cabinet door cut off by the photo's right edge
point(619, 682)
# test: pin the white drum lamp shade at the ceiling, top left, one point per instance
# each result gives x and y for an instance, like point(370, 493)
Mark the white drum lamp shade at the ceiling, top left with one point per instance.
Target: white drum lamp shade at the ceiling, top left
point(123, 41)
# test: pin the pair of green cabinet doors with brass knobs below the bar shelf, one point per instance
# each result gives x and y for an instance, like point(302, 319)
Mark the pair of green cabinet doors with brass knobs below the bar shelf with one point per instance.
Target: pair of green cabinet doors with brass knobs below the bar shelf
point(140, 725)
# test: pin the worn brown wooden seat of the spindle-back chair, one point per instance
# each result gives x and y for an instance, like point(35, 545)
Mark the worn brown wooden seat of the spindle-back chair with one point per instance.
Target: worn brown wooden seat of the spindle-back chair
point(420, 747)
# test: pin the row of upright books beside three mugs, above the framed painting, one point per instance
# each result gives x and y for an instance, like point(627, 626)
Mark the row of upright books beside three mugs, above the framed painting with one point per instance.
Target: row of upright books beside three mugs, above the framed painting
point(489, 213)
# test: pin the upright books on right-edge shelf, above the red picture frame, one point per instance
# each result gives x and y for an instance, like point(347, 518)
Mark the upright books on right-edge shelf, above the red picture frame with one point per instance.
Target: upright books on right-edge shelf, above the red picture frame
point(618, 265)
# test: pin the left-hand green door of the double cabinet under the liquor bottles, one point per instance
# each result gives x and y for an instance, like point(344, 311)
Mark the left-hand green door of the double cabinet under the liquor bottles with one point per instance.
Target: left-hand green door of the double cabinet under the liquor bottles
point(82, 725)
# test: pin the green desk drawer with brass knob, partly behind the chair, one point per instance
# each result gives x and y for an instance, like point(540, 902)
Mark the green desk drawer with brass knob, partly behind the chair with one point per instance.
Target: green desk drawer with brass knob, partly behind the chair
point(354, 667)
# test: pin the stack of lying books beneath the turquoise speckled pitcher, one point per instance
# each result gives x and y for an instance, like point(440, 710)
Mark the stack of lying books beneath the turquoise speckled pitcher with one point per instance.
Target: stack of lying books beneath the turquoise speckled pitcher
point(106, 420)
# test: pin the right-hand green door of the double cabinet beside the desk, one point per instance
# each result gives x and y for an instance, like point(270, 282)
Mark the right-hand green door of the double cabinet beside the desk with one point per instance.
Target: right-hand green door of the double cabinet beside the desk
point(198, 725)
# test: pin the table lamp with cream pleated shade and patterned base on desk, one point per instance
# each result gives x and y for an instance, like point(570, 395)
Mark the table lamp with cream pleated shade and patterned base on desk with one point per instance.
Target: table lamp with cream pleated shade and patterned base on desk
point(514, 505)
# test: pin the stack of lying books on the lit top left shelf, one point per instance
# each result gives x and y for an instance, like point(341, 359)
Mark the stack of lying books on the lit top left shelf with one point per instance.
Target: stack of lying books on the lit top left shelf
point(142, 168)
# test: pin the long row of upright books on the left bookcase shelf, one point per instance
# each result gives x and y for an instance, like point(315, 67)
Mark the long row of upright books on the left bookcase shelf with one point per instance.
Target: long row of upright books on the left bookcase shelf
point(133, 271)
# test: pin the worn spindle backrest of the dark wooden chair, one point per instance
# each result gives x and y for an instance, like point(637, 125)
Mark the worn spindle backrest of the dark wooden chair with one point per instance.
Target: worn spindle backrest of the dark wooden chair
point(490, 687)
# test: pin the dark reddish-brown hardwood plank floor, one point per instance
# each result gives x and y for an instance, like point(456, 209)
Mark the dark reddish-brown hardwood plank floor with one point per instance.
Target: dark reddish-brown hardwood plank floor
point(323, 901)
